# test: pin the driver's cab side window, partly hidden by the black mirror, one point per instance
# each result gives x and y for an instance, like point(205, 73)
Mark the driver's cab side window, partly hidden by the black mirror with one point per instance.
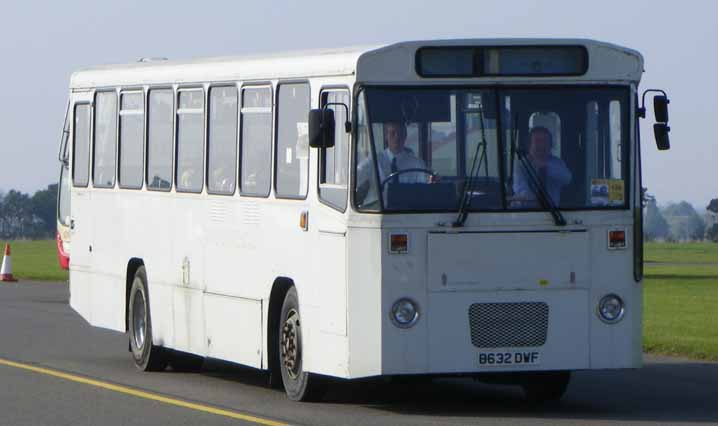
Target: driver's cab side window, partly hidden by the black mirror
point(334, 162)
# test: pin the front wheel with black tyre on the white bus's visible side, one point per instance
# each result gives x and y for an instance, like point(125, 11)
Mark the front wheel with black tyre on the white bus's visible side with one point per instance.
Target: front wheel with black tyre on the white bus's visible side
point(298, 384)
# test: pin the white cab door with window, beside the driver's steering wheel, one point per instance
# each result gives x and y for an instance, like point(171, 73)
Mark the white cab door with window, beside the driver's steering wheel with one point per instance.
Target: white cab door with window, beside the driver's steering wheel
point(330, 220)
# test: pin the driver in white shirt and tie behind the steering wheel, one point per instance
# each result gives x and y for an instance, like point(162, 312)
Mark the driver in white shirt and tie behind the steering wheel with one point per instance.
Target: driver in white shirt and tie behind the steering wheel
point(397, 157)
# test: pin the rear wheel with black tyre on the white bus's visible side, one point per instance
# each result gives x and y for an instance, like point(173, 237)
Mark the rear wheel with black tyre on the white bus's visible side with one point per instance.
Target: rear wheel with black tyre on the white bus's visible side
point(146, 355)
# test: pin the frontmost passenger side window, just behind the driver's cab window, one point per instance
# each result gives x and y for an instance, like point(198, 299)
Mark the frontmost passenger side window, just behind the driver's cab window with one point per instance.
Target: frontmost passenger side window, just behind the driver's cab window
point(292, 153)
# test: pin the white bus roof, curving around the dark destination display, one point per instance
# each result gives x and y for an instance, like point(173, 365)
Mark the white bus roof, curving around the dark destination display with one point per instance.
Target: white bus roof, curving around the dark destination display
point(369, 63)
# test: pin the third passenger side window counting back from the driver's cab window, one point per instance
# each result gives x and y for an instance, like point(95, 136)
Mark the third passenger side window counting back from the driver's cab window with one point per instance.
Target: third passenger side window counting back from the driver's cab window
point(222, 162)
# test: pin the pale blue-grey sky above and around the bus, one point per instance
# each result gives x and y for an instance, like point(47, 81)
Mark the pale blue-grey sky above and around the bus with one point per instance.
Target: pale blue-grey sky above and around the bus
point(42, 43)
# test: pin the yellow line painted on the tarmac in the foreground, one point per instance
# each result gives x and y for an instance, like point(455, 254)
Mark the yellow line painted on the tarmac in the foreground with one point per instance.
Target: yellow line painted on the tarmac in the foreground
point(143, 394)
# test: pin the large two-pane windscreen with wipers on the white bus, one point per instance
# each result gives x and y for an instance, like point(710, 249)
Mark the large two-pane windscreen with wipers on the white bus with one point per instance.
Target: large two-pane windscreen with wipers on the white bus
point(427, 149)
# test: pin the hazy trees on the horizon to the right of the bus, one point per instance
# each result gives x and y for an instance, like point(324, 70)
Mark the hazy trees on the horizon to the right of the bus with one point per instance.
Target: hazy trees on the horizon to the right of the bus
point(679, 222)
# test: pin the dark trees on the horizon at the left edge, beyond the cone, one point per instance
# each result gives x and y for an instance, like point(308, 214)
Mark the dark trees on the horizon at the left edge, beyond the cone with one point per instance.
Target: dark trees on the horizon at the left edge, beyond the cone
point(28, 217)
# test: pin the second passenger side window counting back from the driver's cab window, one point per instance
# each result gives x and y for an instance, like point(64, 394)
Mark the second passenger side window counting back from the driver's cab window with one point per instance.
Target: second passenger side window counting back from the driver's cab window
point(256, 141)
